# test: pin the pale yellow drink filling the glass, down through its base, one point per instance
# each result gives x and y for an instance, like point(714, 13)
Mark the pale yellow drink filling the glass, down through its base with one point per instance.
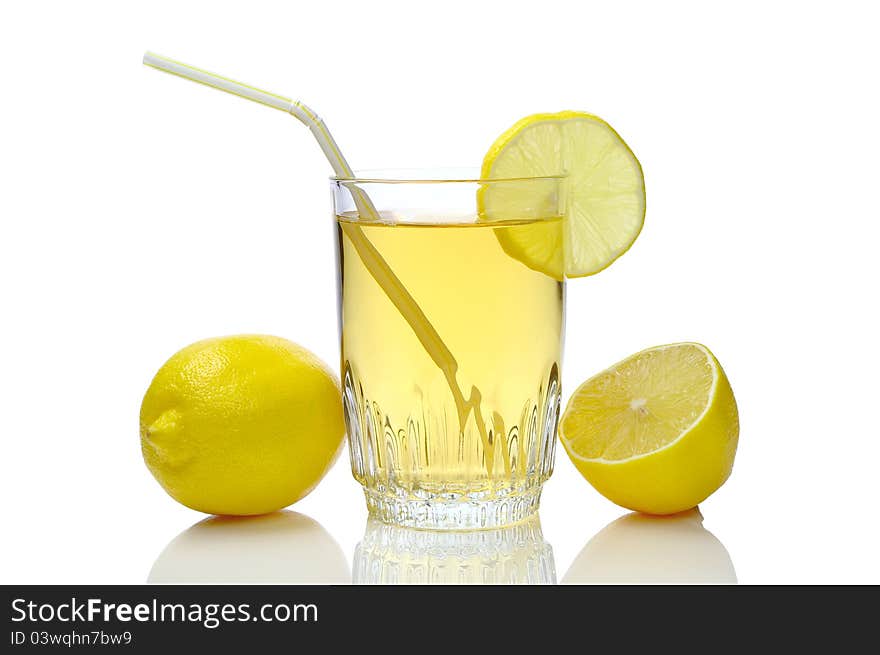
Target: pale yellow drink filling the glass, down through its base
point(466, 447)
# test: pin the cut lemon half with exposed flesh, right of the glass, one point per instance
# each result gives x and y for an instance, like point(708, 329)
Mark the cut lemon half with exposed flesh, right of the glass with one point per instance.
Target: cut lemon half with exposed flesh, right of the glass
point(657, 432)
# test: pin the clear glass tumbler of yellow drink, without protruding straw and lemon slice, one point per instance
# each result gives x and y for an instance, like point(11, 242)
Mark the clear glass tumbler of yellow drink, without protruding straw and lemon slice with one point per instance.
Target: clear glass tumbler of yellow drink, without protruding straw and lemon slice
point(451, 313)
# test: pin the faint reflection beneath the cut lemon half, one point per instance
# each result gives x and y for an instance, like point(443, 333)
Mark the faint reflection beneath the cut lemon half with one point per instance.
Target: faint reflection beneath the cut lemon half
point(638, 548)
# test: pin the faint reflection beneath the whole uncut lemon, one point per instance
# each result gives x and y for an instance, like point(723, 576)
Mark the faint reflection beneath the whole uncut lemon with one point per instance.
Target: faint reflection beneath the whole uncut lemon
point(280, 547)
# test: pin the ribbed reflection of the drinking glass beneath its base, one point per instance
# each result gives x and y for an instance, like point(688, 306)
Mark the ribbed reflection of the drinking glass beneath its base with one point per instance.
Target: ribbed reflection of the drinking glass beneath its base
point(517, 554)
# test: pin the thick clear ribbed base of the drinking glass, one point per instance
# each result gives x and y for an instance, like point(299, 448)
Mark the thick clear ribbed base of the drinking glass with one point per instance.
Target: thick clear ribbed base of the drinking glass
point(451, 511)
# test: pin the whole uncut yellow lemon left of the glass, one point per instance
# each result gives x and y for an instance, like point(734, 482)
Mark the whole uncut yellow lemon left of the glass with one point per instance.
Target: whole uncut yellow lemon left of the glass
point(241, 425)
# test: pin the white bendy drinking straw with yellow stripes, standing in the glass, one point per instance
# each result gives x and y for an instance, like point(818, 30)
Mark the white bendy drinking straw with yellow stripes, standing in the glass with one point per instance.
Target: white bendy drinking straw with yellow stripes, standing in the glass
point(370, 256)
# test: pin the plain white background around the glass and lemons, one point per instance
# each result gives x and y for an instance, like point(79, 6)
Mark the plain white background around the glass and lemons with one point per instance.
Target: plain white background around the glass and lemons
point(141, 213)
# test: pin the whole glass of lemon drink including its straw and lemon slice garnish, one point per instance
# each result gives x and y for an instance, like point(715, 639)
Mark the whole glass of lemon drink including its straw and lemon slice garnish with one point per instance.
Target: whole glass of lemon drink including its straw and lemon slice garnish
point(451, 305)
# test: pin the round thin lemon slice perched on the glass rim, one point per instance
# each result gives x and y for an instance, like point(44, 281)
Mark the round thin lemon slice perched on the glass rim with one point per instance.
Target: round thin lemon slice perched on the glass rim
point(603, 192)
